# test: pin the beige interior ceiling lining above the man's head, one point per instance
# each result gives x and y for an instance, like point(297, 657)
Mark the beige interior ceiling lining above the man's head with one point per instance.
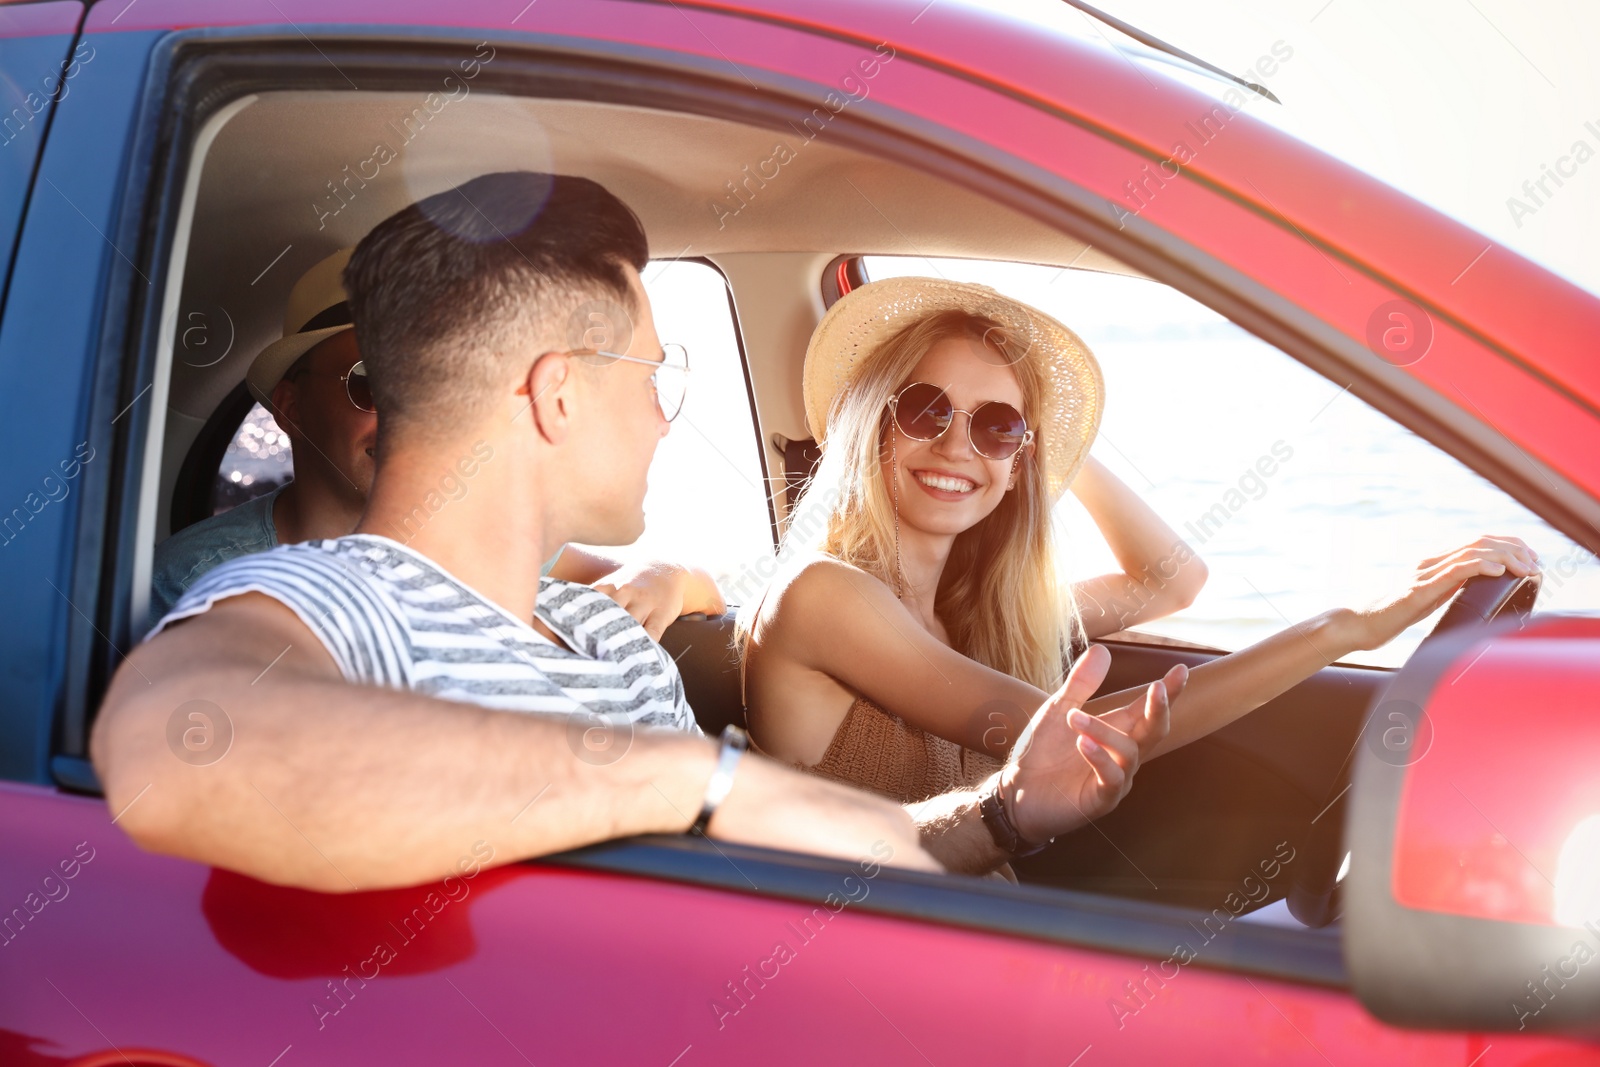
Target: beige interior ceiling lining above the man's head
point(292, 177)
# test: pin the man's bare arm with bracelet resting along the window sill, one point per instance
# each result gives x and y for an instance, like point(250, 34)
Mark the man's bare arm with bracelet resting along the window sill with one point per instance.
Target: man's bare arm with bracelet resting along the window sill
point(337, 788)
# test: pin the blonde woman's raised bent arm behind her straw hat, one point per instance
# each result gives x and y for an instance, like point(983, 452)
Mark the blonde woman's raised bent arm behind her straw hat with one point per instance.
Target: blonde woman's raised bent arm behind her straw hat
point(1161, 573)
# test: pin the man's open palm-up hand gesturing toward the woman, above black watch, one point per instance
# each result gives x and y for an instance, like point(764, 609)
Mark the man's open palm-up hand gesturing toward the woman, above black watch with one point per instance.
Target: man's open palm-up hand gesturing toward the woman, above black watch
point(1070, 767)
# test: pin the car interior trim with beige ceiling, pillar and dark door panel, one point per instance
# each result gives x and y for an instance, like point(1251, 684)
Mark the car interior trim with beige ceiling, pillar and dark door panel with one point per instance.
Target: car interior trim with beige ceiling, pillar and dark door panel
point(281, 180)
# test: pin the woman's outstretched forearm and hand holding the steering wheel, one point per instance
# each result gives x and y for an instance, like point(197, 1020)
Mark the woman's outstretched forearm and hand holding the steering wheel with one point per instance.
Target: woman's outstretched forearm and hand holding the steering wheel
point(1228, 689)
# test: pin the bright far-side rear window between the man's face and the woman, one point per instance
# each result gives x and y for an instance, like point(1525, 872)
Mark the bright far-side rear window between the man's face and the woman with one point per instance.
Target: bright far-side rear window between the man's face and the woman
point(706, 503)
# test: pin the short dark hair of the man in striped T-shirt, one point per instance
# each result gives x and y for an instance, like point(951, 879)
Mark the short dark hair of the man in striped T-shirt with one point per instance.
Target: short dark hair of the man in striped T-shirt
point(452, 295)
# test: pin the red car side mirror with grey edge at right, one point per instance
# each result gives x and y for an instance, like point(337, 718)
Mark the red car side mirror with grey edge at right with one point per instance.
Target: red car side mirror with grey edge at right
point(1473, 901)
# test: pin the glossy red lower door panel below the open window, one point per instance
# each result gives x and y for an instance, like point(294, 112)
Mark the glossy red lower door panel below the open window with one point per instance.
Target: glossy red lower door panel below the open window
point(575, 969)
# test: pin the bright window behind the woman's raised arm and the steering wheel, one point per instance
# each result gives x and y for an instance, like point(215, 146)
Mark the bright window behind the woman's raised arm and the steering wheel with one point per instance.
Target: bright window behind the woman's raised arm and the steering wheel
point(1297, 495)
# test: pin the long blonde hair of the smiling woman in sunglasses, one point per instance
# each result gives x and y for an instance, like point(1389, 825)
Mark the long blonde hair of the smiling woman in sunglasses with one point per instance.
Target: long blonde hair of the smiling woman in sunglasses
point(1001, 596)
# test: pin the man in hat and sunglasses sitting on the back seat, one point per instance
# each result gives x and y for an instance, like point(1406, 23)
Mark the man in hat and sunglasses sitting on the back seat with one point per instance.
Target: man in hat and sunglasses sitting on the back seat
point(314, 383)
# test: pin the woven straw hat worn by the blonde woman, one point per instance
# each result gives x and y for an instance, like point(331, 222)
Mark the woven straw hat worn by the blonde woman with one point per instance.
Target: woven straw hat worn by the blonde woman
point(871, 314)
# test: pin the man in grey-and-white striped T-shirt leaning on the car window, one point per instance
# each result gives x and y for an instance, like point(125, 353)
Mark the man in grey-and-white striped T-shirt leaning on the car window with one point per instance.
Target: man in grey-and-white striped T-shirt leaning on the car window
point(378, 692)
